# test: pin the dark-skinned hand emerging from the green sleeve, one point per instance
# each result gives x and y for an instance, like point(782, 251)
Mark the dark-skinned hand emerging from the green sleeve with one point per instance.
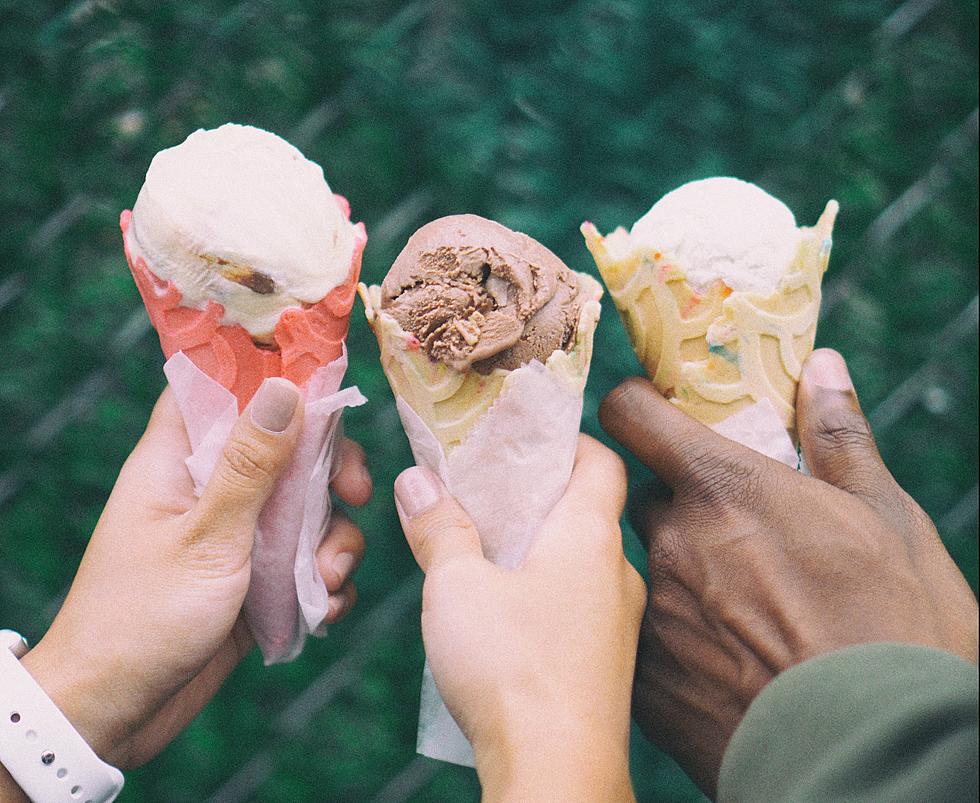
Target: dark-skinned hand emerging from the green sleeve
point(755, 567)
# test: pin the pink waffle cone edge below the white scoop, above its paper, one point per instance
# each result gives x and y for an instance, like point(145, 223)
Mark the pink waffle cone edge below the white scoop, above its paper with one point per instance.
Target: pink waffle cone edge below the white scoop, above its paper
point(305, 338)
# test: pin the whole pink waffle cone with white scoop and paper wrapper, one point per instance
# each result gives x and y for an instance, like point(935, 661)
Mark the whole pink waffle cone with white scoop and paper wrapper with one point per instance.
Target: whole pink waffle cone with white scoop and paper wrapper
point(247, 264)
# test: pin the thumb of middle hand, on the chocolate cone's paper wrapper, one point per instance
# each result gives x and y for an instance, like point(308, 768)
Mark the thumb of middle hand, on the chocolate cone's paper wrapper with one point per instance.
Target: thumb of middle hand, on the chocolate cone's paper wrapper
point(436, 527)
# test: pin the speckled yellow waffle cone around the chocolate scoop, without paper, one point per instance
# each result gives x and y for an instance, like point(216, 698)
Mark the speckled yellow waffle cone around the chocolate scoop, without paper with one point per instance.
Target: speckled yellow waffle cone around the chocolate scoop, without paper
point(450, 402)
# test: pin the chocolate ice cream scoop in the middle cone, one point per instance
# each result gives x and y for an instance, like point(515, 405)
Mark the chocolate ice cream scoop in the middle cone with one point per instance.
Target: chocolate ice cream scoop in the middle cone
point(477, 294)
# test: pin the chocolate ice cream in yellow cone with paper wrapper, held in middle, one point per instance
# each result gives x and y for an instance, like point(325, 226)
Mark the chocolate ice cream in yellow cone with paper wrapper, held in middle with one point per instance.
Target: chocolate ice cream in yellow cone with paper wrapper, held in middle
point(486, 340)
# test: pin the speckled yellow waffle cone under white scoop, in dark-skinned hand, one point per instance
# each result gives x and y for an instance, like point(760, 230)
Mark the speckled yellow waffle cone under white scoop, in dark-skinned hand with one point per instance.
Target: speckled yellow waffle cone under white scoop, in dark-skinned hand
point(716, 353)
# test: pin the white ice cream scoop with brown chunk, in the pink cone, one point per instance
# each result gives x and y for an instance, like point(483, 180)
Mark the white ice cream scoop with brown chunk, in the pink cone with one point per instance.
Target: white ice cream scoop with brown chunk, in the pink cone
point(238, 216)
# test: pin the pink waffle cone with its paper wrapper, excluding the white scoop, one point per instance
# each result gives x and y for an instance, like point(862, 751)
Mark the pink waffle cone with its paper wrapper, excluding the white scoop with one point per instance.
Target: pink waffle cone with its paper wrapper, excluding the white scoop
point(214, 370)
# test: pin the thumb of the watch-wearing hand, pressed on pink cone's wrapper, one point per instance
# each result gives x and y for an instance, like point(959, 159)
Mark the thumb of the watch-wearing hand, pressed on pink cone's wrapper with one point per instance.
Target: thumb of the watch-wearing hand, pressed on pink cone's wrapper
point(257, 451)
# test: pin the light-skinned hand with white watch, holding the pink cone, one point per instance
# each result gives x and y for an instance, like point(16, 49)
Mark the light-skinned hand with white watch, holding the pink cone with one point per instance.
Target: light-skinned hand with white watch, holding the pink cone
point(151, 626)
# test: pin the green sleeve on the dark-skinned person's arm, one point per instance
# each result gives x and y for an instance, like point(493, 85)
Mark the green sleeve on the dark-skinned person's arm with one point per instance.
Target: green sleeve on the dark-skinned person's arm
point(877, 722)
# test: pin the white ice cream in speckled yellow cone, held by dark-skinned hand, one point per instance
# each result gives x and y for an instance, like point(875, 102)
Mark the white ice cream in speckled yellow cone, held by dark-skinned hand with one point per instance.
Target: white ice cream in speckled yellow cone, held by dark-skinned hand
point(720, 294)
